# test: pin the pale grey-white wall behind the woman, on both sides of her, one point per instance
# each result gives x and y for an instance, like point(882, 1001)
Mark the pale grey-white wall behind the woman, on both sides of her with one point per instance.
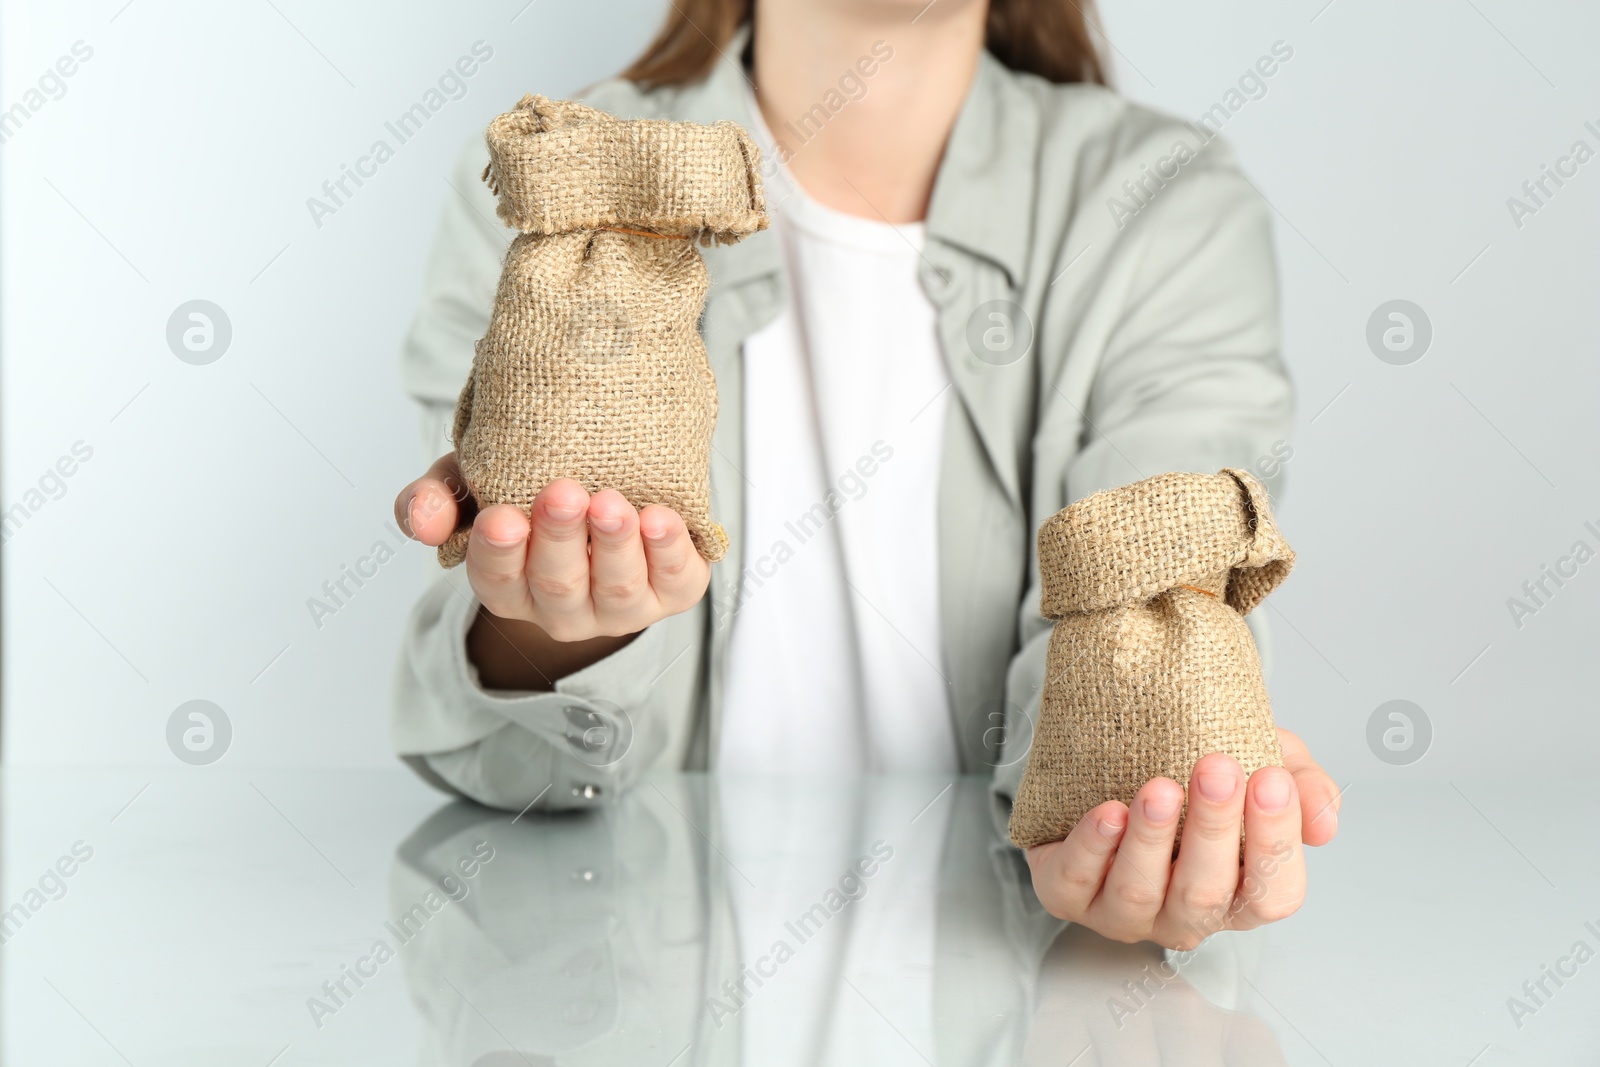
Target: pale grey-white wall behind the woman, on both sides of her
point(220, 498)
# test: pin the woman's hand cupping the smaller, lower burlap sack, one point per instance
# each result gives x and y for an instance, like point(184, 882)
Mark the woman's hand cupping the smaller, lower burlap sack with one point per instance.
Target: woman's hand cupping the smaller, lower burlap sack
point(1116, 871)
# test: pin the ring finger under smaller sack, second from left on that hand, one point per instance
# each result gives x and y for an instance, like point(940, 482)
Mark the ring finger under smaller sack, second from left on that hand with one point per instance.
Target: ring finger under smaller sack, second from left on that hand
point(1137, 884)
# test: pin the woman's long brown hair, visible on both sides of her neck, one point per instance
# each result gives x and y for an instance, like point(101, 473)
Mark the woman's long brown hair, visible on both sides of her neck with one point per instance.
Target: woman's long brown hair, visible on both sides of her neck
point(1046, 38)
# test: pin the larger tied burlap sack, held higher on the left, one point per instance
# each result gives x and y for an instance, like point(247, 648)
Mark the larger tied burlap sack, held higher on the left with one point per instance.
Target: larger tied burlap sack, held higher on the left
point(593, 367)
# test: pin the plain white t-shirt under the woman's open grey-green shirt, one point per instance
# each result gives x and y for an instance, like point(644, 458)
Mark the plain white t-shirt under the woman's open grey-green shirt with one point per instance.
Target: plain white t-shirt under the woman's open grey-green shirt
point(836, 657)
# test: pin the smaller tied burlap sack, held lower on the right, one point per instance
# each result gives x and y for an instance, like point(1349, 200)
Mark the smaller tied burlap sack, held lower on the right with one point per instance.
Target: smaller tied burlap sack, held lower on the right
point(1151, 665)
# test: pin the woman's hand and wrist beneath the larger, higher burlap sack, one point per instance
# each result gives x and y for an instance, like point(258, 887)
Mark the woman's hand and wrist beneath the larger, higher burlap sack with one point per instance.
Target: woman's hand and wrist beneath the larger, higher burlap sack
point(586, 572)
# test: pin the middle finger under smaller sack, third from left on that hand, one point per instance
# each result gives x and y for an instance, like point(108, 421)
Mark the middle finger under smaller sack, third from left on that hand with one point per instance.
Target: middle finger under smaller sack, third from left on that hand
point(1206, 876)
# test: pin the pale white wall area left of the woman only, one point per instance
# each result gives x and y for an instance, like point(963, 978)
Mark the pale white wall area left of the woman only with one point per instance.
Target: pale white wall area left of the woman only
point(226, 495)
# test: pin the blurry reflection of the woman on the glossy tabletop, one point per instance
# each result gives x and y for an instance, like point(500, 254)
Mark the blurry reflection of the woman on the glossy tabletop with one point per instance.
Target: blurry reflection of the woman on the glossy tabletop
point(730, 922)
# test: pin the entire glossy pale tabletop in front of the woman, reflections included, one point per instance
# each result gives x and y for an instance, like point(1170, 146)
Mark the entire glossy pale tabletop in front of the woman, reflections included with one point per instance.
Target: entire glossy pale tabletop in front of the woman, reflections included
point(233, 917)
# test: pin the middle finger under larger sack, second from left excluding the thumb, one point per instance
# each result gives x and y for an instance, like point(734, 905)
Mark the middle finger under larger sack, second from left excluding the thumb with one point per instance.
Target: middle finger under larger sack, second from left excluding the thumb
point(559, 561)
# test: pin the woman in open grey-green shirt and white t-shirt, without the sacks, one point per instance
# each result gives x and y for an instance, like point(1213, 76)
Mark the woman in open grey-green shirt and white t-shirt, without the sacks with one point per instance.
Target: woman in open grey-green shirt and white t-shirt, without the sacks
point(994, 289)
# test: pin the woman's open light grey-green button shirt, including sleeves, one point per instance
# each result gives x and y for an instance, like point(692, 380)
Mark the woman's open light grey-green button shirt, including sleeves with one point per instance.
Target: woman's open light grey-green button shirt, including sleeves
point(1137, 268)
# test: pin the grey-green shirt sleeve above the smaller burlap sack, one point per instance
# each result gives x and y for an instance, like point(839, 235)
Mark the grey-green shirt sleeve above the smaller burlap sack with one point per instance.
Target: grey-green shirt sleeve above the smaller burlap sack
point(1190, 377)
